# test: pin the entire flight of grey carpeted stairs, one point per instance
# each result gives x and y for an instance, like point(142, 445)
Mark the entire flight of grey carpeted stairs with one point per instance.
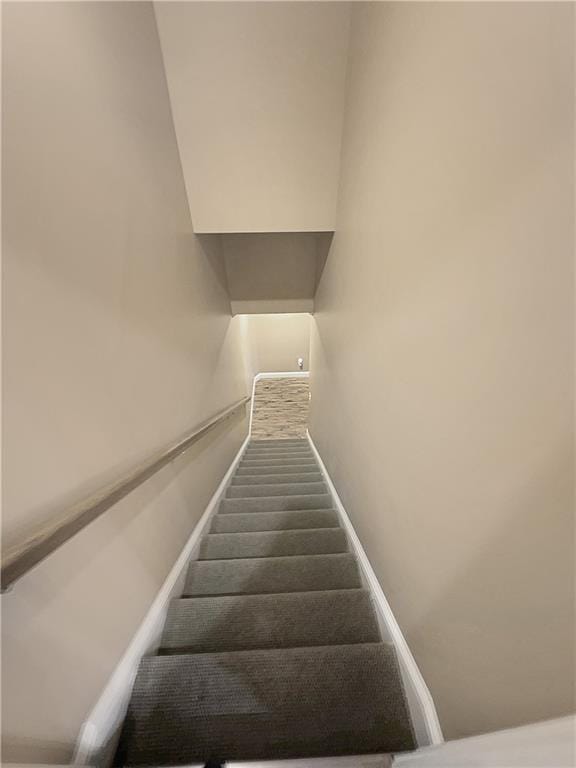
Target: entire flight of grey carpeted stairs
point(273, 651)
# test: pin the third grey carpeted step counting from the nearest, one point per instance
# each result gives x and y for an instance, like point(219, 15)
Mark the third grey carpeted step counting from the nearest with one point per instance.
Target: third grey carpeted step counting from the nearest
point(297, 573)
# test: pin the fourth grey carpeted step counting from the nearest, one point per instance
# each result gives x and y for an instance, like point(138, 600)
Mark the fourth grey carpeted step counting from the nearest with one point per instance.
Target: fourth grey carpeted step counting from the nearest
point(225, 546)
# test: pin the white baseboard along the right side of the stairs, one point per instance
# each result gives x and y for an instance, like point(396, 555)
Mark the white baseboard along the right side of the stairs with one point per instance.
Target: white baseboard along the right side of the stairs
point(420, 703)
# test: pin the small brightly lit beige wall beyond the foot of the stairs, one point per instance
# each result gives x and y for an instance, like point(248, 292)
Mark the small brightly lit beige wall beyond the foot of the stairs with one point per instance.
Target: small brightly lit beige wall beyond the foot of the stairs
point(275, 342)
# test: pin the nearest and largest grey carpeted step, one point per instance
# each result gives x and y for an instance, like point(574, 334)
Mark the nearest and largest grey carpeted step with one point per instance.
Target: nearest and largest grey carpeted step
point(266, 704)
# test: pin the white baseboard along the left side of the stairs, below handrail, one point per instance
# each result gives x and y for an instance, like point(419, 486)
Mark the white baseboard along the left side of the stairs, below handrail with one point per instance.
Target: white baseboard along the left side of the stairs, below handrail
point(97, 739)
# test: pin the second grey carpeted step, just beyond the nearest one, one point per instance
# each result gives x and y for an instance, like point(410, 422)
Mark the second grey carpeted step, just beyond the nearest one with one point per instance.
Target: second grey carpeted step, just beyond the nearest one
point(286, 620)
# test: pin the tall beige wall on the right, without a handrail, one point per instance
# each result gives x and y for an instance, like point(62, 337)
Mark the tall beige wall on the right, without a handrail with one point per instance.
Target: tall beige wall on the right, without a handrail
point(442, 350)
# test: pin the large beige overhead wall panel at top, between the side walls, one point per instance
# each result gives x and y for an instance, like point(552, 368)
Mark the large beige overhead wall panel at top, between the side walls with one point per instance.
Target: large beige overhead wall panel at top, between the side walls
point(257, 93)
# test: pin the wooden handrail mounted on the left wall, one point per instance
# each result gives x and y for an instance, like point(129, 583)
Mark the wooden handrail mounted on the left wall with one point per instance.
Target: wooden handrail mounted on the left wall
point(22, 557)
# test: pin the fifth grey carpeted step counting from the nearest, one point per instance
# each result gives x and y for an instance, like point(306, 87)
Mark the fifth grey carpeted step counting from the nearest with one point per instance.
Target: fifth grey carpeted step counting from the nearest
point(274, 521)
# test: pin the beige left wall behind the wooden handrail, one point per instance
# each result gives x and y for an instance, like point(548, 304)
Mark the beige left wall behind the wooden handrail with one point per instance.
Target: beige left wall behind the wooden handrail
point(117, 339)
